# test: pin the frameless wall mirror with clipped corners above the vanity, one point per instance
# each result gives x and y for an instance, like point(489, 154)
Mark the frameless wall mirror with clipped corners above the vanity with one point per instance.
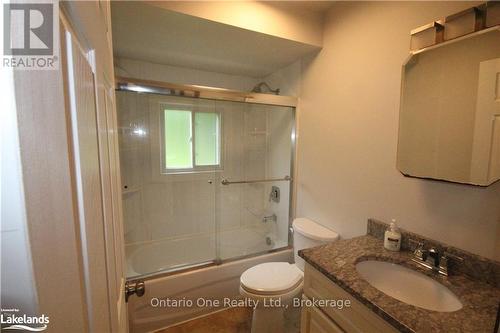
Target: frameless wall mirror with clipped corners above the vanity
point(449, 127)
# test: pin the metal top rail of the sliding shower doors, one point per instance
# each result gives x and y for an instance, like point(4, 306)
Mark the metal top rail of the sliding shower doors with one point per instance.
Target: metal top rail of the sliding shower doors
point(195, 91)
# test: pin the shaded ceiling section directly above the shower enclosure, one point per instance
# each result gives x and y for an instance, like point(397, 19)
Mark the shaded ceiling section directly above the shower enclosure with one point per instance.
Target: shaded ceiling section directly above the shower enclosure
point(149, 33)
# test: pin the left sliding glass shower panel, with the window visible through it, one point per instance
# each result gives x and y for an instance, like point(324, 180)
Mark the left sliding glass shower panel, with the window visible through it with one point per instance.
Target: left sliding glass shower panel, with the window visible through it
point(169, 154)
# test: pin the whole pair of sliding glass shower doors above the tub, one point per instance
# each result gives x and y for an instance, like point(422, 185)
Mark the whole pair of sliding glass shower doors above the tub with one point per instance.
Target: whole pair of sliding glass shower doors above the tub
point(203, 180)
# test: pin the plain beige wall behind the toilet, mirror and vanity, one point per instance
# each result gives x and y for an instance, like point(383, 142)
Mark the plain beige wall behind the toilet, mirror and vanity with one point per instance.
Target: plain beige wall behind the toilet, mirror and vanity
point(349, 113)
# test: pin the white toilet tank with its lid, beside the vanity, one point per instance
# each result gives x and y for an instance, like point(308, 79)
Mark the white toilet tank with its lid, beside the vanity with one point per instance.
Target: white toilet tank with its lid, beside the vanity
point(307, 234)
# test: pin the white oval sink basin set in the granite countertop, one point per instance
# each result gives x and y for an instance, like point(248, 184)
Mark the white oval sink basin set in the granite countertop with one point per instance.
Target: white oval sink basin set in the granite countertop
point(408, 286)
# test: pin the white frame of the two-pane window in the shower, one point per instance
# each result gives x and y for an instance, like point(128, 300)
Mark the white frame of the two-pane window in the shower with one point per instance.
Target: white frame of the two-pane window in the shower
point(163, 145)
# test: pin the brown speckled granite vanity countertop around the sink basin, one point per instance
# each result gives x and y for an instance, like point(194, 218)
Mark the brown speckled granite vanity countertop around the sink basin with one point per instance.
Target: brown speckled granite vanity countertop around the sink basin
point(338, 260)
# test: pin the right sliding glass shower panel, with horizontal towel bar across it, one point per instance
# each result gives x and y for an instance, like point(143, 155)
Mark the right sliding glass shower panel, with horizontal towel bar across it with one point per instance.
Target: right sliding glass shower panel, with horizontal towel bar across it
point(253, 196)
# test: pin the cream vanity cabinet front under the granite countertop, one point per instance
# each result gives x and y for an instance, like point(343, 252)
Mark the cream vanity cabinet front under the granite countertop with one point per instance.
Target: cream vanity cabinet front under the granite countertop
point(356, 318)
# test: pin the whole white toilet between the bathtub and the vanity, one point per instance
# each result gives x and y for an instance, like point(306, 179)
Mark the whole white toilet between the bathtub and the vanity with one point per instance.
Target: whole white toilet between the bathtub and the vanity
point(275, 284)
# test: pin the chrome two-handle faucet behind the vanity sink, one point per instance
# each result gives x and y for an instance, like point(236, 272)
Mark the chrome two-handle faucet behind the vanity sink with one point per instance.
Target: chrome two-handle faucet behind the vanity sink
point(432, 259)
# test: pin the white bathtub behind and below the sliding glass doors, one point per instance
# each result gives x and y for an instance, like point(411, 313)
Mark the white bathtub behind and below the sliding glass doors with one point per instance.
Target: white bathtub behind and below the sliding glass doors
point(215, 282)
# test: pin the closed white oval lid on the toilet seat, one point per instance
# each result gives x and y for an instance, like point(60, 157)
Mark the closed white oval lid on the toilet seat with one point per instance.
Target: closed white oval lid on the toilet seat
point(271, 277)
